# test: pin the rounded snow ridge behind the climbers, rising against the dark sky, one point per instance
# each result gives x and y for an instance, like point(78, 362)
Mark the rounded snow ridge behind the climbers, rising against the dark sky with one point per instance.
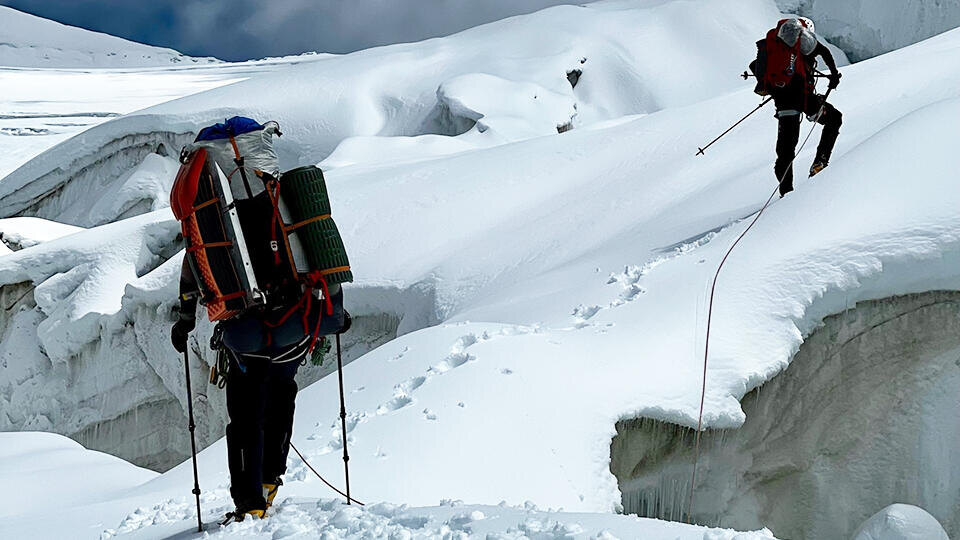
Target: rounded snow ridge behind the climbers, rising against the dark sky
point(407, 91)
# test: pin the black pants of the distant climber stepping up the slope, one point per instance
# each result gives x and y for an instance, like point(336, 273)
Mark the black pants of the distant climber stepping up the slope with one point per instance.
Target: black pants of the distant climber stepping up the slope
point(788, 133)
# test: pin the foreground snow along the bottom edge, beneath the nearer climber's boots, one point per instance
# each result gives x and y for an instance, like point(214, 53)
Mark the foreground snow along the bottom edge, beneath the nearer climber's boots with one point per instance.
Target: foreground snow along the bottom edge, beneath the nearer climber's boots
point(99, 496)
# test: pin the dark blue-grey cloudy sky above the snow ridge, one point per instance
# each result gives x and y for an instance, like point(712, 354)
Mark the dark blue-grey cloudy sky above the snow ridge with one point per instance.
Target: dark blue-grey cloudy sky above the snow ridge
point(245, 29)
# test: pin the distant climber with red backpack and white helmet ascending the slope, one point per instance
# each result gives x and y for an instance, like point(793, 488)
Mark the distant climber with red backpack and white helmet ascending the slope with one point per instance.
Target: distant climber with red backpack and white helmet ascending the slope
point(785, 69)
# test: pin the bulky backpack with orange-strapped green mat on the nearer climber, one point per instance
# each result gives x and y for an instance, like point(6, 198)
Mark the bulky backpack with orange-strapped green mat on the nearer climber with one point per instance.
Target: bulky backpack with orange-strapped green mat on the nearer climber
point(256, 239)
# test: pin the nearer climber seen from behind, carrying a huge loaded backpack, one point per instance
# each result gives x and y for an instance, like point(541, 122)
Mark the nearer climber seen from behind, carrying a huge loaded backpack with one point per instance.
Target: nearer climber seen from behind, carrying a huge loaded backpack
point(265, 259)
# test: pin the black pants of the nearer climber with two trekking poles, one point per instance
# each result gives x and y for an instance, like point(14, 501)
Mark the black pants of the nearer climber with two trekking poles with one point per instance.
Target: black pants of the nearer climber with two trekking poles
point(260, 402)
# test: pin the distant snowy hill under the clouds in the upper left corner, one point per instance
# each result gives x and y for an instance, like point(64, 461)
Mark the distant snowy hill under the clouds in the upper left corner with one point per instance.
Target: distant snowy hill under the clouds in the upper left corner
point(31, 41)
